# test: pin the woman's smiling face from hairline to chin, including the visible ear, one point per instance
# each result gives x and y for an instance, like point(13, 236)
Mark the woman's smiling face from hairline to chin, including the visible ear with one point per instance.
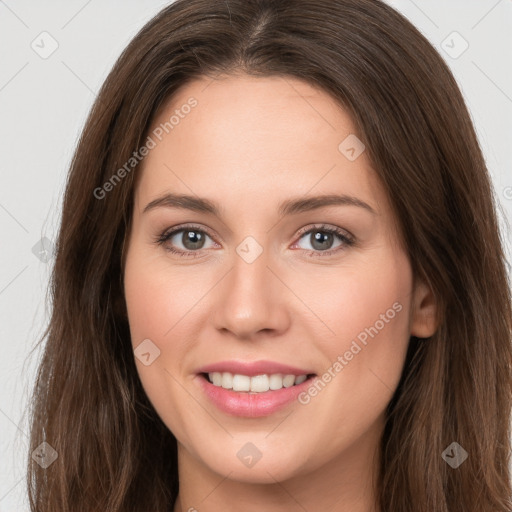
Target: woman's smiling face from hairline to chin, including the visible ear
point(298, 309)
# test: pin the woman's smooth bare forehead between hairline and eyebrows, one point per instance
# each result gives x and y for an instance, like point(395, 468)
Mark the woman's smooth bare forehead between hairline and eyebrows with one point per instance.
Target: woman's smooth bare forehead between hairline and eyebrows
point(254, 138)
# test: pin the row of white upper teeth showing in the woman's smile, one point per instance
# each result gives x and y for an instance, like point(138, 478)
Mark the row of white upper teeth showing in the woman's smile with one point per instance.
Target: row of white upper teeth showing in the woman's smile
point(256, 384)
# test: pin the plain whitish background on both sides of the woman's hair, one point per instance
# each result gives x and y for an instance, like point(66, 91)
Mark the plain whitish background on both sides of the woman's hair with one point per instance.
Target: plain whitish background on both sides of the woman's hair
point(43, 105)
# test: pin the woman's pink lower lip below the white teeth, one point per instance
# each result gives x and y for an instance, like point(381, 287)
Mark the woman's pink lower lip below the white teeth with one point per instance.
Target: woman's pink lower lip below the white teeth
point(251, 405)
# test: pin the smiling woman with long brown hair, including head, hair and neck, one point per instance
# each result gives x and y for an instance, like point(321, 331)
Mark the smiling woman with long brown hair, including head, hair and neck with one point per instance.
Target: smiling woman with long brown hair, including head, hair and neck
point(199, 355)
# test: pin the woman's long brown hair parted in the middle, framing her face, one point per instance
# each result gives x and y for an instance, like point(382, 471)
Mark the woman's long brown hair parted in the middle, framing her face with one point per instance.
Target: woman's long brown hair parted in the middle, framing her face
point(114, 452)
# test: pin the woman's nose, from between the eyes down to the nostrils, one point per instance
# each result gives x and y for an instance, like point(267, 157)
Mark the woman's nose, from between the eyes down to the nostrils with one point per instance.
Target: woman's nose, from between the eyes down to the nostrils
point(250, 298)
